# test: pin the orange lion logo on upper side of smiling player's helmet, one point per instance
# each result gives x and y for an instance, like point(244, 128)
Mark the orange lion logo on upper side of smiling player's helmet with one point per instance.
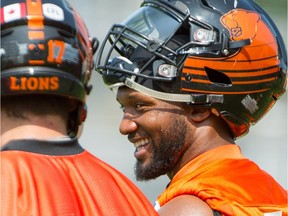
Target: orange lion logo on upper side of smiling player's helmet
point(241, 24)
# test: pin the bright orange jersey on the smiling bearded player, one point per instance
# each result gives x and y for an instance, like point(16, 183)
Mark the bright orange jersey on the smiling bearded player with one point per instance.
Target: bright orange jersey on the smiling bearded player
point(228, 183)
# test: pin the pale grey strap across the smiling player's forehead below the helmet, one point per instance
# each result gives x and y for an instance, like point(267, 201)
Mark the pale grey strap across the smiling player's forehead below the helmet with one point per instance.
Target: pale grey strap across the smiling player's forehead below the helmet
point(186, 98)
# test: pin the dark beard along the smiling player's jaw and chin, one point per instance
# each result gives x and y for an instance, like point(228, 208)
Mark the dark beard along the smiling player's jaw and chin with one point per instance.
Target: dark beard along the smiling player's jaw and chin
point(166, 152)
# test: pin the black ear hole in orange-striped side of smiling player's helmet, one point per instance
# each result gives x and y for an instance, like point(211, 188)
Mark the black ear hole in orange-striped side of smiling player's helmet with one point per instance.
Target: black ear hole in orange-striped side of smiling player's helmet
point(218, 77)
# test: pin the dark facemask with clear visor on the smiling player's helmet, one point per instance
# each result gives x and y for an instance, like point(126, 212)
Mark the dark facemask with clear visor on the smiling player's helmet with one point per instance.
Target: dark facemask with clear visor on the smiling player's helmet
point(153, 43)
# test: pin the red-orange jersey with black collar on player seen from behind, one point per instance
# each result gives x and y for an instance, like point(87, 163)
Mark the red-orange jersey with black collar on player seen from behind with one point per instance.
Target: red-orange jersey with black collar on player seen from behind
point(60, 178)
